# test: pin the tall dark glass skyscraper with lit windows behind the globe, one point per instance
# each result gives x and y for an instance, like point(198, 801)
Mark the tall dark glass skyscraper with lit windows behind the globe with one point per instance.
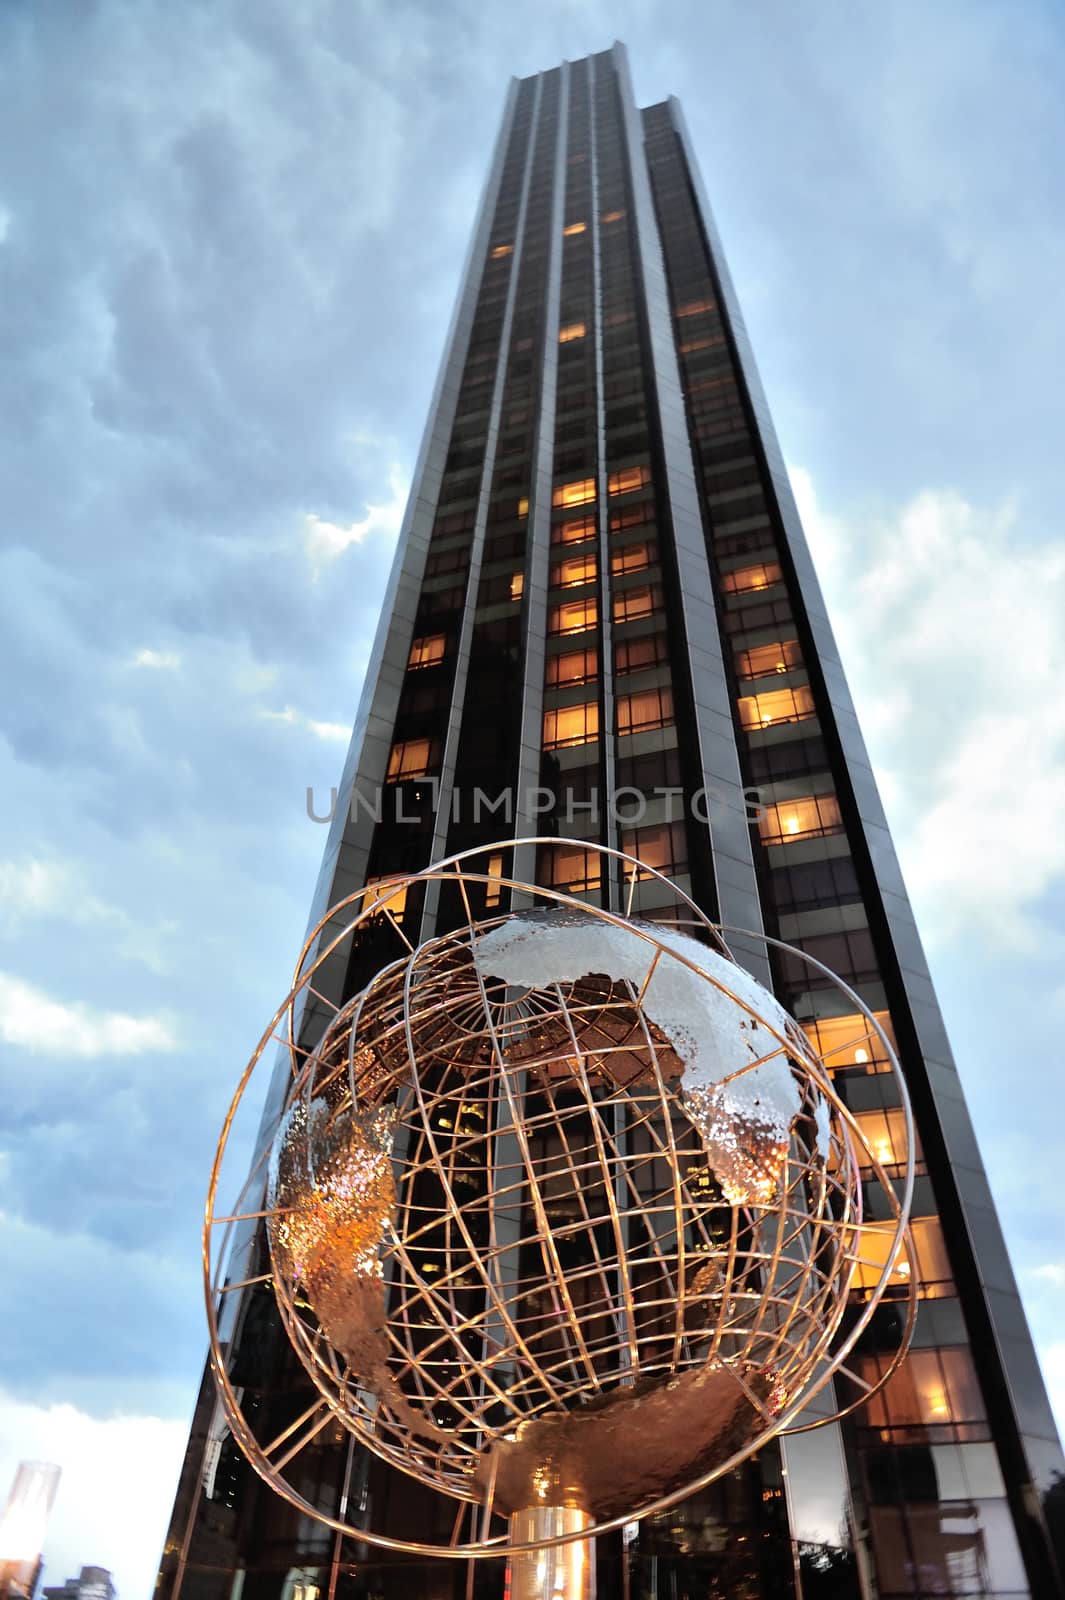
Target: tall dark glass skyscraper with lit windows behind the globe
point(604, 625)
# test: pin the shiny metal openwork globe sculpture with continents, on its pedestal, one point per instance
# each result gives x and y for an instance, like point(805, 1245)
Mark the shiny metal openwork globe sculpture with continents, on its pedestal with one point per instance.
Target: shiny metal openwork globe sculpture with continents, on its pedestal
point(565, 1215)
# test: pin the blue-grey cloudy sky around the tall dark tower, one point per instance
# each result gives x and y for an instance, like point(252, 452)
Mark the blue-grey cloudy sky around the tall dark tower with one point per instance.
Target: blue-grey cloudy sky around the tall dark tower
point(229, 242)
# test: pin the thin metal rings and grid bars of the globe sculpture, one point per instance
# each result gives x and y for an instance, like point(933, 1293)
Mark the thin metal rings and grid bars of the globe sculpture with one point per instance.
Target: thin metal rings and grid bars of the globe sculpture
point(335, 1058)
